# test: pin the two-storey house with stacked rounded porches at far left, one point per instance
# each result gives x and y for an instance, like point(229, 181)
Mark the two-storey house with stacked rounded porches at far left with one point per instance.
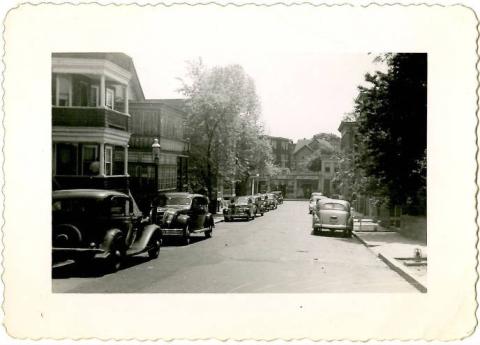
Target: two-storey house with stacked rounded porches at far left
point(91, 120)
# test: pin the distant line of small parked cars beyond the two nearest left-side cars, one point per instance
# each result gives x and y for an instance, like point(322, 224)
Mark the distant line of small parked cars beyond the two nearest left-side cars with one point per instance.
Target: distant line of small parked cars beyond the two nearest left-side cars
point(248, 207)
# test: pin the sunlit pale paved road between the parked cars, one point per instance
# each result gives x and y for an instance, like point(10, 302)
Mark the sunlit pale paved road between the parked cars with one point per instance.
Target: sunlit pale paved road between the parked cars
point(274, 253)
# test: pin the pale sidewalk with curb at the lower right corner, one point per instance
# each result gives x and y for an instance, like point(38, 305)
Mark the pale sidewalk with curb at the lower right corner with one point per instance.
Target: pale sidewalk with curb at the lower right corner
point(399, 252)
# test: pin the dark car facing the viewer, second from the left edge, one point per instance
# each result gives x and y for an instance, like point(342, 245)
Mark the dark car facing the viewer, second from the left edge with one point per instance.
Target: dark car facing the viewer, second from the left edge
point(182, 214)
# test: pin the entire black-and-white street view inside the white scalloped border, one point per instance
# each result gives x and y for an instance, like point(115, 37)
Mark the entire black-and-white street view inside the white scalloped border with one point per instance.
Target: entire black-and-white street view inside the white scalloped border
point(224, 188)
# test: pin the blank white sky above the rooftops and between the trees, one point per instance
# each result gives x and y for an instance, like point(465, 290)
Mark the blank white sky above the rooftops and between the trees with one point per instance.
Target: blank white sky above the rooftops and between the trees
point(301, 95)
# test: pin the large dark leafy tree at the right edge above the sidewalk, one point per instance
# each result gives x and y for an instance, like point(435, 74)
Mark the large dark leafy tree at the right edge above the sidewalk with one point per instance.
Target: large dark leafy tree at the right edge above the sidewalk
point(392, 118)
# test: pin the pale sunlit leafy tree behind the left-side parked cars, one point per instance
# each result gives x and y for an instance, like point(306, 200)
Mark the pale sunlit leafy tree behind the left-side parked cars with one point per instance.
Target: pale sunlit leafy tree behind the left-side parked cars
point(223, 126)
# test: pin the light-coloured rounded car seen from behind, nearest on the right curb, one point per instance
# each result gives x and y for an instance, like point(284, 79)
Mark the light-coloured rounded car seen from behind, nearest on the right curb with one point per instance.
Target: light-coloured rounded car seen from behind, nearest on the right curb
point(332, 215)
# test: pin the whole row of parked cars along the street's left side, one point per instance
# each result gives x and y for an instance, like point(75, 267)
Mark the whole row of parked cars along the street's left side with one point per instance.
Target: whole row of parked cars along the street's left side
point(90, 224)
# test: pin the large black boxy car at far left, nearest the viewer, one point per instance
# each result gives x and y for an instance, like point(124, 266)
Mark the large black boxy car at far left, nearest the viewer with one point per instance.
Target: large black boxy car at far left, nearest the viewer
point(100, 224)
